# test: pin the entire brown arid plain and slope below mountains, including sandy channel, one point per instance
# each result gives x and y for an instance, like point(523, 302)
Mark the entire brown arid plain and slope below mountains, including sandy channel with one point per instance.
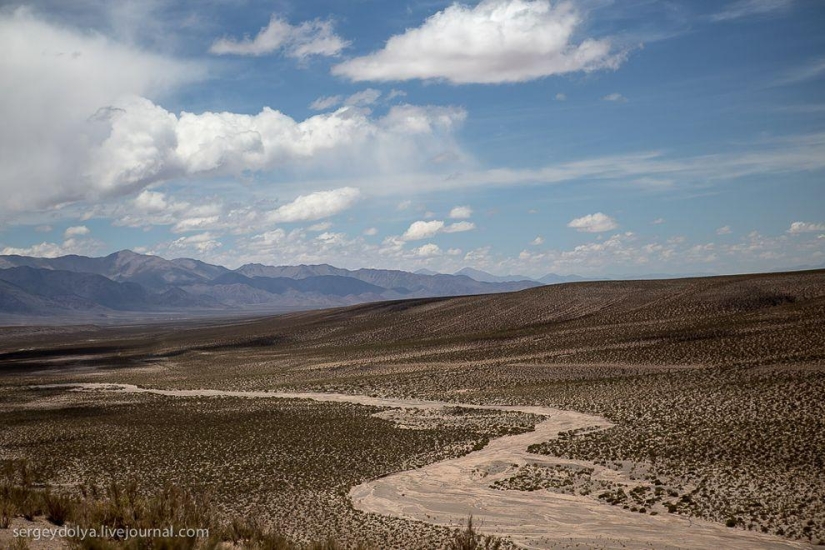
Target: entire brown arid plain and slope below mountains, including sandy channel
point(649, 414)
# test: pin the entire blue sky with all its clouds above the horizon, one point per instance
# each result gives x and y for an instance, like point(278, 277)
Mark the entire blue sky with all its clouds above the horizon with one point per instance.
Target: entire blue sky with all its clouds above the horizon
point(589, 137)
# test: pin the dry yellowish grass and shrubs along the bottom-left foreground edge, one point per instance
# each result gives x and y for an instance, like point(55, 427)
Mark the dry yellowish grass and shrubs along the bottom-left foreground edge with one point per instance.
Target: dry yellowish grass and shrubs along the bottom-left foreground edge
point(189, 515)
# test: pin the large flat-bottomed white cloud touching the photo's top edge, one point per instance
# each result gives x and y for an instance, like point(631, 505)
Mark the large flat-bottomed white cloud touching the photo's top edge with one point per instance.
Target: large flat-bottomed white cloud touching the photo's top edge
point(493, 42)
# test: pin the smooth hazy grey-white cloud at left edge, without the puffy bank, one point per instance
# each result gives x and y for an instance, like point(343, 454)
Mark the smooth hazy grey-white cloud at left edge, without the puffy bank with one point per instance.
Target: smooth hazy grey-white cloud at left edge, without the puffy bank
point(63, 80)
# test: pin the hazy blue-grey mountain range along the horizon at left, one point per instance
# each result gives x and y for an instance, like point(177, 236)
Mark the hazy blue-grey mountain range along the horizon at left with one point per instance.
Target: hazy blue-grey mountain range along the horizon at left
point(130, 282)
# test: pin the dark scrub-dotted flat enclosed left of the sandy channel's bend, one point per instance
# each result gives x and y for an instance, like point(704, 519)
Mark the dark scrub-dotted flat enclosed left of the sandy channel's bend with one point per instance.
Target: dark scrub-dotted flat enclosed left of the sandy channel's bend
point(280, 467)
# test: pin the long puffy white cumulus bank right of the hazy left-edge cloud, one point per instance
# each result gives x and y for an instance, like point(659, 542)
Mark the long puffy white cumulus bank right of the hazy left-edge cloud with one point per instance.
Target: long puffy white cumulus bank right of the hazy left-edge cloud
point(148, 144)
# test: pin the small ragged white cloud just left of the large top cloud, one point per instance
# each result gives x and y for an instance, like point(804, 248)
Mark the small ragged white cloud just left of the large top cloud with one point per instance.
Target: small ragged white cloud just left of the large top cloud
point(301, 41)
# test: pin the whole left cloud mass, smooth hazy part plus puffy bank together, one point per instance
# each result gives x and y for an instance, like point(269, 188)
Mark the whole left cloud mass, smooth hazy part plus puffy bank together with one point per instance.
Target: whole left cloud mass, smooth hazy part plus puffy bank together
point(83, 122)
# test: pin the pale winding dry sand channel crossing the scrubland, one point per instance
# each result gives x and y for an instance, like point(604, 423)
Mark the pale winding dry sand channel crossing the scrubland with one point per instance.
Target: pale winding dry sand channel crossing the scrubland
point(446, 492)
